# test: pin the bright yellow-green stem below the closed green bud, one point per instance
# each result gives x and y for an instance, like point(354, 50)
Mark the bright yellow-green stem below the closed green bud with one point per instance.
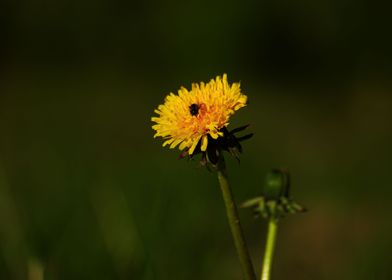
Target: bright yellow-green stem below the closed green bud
point(269, 248)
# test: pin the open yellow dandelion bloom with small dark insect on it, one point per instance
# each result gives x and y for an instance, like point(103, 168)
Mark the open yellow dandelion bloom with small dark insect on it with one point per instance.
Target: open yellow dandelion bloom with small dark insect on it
point(191, 116)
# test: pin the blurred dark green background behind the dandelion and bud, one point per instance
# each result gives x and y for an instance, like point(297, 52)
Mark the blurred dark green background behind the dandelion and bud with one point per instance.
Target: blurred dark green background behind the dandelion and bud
point(87, 193)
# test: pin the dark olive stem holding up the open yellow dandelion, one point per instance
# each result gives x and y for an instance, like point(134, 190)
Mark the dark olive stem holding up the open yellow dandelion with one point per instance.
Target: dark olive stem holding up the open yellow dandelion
point(234, 221)
